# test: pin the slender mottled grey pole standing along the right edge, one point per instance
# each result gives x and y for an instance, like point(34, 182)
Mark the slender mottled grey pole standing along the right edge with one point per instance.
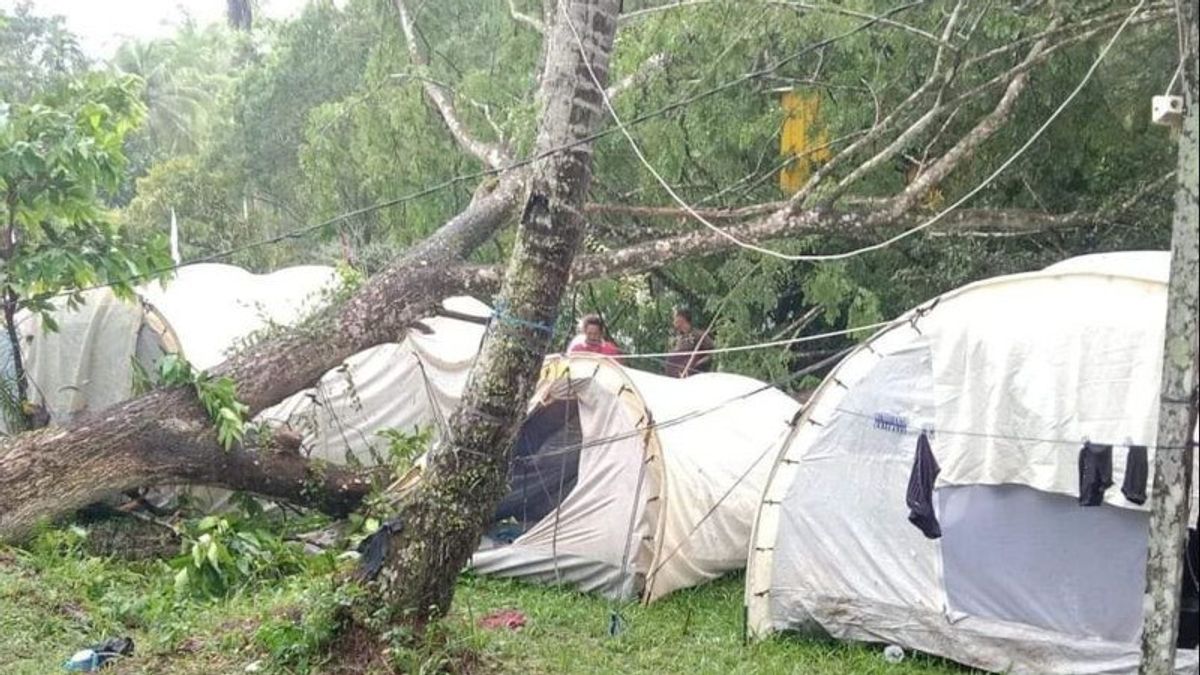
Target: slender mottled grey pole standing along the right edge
point(1177, 411)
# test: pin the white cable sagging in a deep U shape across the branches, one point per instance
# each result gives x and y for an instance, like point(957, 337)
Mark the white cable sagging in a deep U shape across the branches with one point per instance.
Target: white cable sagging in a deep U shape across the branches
point(827, 258)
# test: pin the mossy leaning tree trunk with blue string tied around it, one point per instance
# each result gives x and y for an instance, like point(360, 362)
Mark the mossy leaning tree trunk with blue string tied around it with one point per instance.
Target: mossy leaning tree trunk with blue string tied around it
point(443, 518)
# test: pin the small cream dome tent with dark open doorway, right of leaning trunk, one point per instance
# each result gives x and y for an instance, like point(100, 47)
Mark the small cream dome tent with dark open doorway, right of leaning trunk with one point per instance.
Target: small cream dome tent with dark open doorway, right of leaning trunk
point(632, 485)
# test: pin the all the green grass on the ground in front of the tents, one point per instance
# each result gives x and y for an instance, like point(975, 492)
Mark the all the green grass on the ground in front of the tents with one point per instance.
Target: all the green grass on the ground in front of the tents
point(57, 599)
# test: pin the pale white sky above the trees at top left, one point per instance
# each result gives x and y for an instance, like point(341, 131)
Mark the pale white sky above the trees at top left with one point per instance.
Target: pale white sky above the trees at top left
point(103, 25)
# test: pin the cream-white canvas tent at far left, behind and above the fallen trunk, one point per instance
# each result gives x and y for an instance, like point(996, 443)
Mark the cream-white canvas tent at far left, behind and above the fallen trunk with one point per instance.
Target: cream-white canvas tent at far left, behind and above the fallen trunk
point(205, 312)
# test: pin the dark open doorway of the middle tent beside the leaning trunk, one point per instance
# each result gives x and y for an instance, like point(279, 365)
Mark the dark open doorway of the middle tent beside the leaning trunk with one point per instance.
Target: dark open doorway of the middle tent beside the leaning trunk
point(544, 470)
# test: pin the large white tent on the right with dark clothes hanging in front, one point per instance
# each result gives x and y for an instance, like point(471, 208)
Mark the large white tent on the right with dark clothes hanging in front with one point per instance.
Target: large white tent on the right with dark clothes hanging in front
point(929, 495)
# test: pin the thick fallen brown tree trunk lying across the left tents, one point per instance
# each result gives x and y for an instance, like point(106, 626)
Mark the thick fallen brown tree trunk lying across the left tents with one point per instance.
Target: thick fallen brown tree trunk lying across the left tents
point(166, 438)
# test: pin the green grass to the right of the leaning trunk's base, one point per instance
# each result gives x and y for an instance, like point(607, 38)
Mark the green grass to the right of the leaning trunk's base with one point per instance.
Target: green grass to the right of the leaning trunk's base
point(692, 631)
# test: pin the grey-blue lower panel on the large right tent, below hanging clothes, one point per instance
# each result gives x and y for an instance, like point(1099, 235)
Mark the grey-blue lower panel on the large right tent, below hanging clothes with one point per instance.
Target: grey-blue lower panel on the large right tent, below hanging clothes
point(1017, 554)
